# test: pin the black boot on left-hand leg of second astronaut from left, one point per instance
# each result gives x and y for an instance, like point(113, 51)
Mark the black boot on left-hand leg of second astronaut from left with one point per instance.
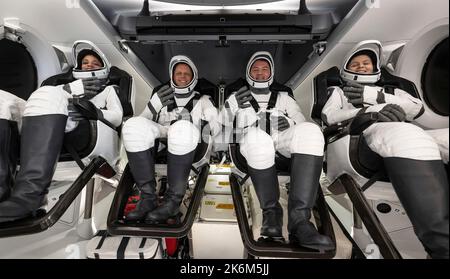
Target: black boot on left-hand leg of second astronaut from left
point(142, 167)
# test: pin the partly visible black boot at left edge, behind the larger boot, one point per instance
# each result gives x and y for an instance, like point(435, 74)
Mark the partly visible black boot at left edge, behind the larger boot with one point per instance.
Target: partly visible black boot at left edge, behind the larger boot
point(7, 160)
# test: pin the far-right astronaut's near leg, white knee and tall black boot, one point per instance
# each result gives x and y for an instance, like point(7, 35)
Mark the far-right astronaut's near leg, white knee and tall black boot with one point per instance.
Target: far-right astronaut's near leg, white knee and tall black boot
point(413, 162)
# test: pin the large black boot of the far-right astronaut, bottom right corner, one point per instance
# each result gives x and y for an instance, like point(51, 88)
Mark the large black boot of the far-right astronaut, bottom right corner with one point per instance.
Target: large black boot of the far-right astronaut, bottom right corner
point(422, 187)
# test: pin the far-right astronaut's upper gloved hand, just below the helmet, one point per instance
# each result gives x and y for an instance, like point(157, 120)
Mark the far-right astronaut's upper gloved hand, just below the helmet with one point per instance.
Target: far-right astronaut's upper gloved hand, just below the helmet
point(358, 94)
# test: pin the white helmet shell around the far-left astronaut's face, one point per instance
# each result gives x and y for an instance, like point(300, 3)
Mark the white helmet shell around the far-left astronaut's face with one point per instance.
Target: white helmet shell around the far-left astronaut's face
point(82, 48)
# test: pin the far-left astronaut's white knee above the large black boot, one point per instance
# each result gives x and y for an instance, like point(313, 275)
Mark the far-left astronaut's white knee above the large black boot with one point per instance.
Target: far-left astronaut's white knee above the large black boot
point(47, 100)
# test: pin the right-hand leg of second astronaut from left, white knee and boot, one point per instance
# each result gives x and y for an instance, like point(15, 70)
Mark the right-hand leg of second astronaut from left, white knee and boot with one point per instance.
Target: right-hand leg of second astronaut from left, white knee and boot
point(182, 140)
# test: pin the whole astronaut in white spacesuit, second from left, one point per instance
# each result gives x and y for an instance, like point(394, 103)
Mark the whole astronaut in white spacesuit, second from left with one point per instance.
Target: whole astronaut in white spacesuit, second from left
point(174, 112)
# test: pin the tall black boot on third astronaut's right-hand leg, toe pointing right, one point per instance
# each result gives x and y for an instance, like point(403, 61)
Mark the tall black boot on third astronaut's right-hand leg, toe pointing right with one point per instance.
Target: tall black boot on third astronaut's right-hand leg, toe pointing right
point(305, 175)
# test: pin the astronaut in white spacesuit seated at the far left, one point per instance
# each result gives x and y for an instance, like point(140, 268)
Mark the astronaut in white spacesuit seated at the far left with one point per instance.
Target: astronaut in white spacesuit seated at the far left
point(43, 120)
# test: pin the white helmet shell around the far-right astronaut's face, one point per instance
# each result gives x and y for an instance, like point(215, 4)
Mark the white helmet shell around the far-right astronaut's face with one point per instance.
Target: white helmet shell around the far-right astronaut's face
point(371, 48)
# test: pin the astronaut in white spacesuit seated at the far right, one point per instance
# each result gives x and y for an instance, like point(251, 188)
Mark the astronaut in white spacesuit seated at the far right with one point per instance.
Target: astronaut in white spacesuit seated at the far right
point(412, 158)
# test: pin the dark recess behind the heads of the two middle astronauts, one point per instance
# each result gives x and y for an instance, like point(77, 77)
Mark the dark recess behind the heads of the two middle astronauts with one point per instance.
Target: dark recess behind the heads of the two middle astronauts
point(222, 64)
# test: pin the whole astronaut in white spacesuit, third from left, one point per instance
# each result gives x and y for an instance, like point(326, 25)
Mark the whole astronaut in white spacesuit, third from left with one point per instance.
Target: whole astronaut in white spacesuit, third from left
point(272, 122)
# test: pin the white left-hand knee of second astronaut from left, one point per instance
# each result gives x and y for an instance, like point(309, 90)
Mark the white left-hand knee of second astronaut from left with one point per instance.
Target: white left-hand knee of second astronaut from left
point(139, 134)
